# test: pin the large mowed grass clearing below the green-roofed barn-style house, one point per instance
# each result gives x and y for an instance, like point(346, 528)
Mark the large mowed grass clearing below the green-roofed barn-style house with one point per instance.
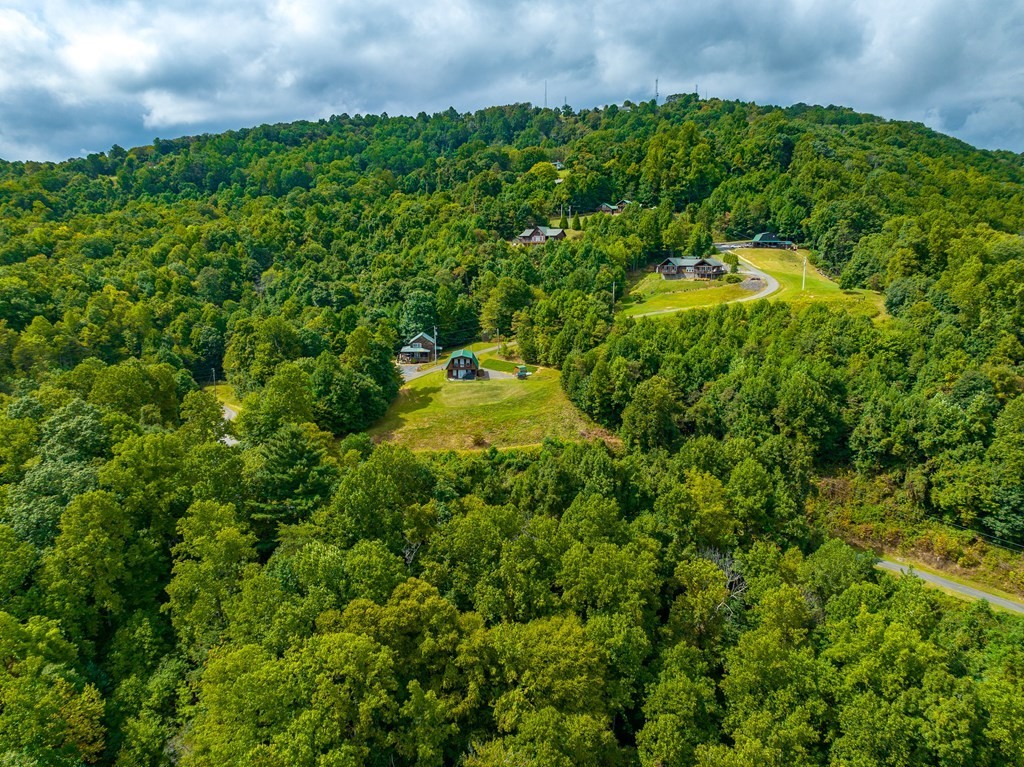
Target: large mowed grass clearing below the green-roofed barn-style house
point(433, 413)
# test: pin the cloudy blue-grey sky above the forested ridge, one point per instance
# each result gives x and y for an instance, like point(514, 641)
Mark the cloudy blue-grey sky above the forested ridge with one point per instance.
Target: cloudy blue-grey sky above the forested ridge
point(80, 76)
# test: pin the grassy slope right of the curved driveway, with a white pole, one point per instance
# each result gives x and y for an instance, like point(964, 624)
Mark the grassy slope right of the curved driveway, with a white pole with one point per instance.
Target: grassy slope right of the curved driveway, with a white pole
point(788, 268)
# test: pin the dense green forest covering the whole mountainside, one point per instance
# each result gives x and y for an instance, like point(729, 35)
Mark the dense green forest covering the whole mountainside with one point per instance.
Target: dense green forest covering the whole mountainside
point(305, 598)
